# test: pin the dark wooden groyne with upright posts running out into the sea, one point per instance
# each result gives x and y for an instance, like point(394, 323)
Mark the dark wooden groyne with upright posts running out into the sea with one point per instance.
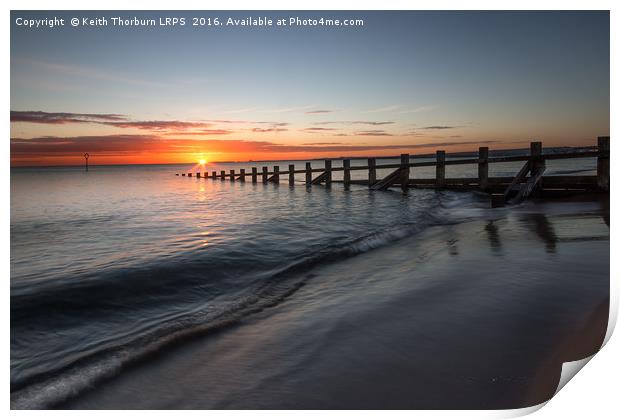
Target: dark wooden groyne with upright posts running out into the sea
point(528, 181)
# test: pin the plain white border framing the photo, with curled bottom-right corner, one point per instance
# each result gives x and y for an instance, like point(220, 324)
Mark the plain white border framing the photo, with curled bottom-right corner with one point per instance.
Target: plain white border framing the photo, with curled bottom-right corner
point(591, 394)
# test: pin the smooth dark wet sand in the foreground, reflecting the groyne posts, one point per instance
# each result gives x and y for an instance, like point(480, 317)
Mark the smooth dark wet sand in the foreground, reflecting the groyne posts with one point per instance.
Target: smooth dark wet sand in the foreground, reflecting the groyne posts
point(478, 315)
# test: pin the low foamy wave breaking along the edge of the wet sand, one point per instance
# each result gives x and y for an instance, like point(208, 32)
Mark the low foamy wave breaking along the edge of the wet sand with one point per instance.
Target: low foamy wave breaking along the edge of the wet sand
point(54, 387)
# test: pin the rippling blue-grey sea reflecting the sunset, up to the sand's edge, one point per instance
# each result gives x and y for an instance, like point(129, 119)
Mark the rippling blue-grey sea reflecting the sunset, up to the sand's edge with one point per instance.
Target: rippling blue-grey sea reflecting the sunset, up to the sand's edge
point(109, 265)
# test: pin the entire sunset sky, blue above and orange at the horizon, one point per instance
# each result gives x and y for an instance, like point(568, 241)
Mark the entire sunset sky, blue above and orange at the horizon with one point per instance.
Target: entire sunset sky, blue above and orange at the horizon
point(403, 82)
